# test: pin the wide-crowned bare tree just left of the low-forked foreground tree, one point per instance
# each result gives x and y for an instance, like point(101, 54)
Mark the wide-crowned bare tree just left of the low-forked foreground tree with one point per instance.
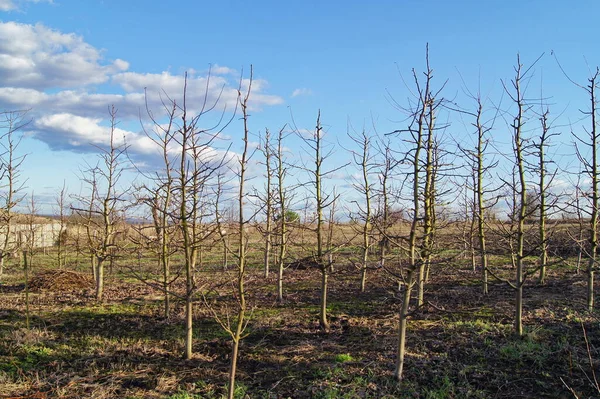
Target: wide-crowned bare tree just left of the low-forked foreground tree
point(181, 195)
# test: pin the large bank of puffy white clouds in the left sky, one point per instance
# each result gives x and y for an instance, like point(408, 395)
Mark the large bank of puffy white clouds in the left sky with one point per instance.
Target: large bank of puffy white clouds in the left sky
point(55, 74)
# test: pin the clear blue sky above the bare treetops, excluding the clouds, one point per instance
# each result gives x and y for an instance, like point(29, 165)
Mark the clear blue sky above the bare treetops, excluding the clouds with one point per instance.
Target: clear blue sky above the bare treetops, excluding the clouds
point(68, 60)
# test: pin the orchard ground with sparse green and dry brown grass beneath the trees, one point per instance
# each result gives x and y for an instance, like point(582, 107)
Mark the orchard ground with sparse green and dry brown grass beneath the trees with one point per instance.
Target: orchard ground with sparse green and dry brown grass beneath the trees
point(460, 345)
